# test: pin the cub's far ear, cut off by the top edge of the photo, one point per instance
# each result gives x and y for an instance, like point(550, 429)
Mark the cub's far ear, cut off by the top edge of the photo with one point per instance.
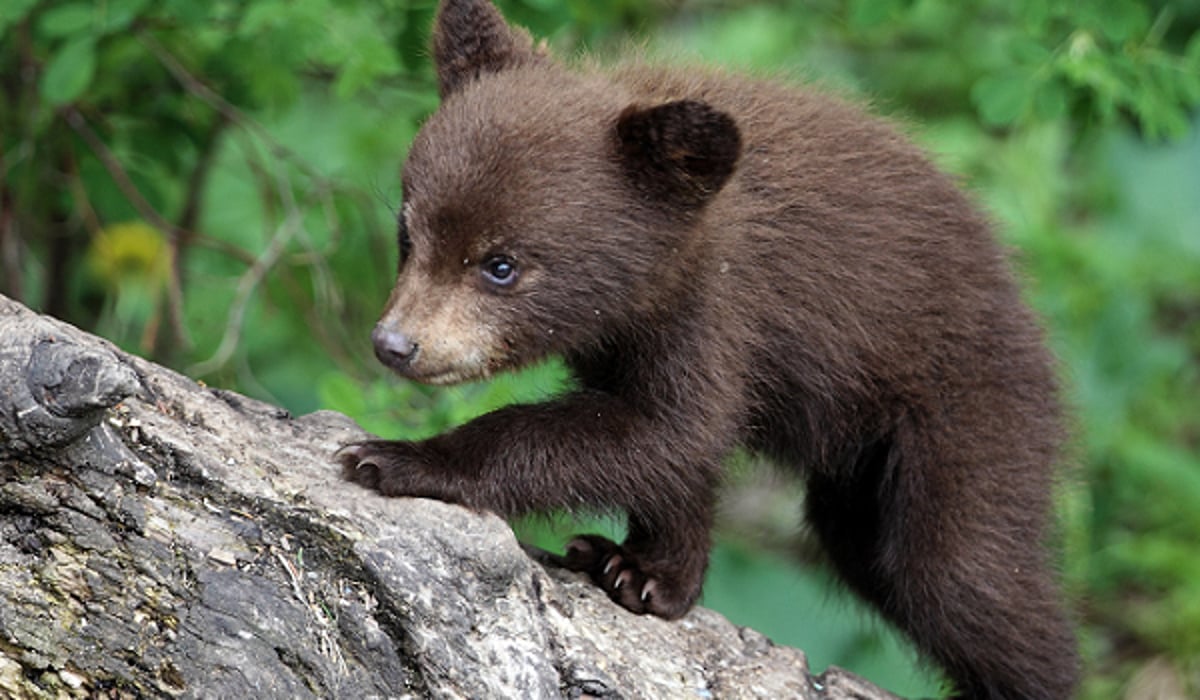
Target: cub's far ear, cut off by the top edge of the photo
point(471, 39)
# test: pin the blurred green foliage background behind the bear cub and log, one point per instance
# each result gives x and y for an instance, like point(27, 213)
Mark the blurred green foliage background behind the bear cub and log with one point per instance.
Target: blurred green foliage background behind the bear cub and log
point(213, 186)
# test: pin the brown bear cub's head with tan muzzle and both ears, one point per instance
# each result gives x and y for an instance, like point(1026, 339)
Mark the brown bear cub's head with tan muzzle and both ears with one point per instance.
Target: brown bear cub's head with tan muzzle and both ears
point(543, 208)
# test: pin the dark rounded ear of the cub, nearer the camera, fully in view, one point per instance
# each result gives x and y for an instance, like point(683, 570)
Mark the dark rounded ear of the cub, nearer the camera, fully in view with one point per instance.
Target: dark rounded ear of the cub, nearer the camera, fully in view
point(681, 153)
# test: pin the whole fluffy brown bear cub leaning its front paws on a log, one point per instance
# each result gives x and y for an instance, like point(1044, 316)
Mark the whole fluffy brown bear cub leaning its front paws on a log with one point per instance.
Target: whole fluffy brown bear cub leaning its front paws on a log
point(728, 262)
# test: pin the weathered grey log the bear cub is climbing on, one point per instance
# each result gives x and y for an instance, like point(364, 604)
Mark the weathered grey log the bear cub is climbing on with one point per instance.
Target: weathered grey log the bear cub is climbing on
point(160, 539)
